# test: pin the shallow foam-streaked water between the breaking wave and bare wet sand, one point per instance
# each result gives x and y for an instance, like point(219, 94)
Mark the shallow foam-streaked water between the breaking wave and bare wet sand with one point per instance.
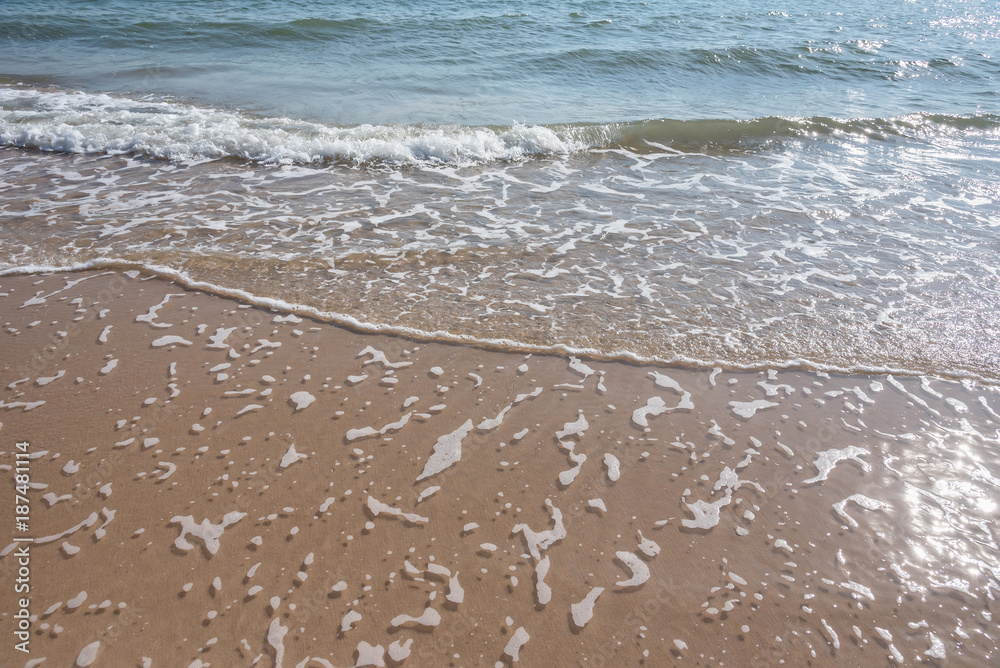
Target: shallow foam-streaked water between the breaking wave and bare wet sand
point(805, 251)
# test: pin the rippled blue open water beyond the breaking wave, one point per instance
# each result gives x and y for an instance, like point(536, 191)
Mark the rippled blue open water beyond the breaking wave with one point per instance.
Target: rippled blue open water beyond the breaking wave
point(477, 63)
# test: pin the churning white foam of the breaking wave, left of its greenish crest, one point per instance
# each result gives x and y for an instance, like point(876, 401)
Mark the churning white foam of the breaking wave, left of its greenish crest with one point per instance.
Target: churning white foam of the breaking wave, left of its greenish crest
point(78, 122)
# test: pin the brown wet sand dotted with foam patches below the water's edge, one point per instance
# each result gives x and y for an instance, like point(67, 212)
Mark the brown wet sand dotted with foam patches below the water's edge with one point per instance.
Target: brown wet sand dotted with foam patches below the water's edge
point(214, 483)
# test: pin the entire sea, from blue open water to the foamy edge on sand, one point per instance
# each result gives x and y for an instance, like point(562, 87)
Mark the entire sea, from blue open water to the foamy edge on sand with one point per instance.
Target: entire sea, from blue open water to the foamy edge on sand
point(708, 183)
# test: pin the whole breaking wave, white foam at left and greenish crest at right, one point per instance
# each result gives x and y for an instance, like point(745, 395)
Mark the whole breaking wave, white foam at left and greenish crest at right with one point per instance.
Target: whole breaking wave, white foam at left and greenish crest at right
point(79, 122)
